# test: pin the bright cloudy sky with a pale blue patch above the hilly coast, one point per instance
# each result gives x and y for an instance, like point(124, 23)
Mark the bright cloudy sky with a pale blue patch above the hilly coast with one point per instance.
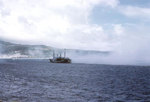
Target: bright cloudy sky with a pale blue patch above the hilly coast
point(104, 25)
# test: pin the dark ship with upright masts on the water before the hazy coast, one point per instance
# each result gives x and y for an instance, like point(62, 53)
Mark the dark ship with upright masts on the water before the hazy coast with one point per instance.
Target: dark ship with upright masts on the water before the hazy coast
point(60, 59)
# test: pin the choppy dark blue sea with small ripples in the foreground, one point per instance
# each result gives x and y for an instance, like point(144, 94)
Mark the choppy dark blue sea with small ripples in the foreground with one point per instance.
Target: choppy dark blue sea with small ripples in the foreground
point(41, 81)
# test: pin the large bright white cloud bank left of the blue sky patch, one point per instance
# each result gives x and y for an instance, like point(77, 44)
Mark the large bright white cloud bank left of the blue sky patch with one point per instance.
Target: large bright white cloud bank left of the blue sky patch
point(60, 23)
